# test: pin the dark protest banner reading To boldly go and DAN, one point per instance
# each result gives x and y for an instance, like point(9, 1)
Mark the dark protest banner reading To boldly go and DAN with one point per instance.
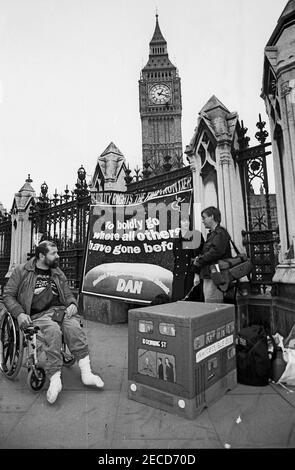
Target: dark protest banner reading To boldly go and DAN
point(129, 253)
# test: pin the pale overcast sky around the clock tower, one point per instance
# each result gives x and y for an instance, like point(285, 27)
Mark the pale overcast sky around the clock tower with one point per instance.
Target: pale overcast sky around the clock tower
point(69, 72)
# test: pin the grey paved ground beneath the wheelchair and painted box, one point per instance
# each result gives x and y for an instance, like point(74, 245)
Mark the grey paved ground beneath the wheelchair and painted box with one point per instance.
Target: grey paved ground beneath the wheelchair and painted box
point(85, 418)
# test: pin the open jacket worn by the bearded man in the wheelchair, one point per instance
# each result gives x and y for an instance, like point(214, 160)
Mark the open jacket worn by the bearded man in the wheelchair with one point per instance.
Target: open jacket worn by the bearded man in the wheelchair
point(19, 290)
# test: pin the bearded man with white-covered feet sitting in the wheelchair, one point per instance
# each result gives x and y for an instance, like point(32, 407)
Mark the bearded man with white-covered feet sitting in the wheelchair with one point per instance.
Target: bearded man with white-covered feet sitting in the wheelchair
point(37, 294)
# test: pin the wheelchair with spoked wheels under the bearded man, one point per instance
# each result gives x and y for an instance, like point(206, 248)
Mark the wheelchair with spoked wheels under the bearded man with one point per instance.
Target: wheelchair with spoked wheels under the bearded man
point(14, 342)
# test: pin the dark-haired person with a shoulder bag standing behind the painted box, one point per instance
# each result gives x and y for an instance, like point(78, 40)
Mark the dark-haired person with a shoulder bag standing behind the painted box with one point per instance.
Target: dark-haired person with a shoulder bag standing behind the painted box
point(216, 247)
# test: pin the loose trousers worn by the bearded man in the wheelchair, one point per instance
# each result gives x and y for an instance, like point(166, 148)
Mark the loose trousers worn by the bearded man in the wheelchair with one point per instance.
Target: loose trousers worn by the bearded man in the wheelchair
point(52, 332)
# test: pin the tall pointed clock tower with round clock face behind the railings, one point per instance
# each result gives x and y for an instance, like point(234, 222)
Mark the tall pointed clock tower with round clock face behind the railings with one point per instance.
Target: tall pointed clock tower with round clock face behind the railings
point(160, 108)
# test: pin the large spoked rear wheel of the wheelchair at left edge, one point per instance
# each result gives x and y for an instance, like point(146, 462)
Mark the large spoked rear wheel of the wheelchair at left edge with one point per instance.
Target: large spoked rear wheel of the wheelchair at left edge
point(12, 347)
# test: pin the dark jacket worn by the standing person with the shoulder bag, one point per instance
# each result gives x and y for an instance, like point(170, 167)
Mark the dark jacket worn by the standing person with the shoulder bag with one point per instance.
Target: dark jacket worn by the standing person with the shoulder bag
point(216, 246)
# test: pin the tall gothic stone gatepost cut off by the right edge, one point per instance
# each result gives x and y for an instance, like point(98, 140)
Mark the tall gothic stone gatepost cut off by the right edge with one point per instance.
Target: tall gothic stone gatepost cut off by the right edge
point(278, 92)
